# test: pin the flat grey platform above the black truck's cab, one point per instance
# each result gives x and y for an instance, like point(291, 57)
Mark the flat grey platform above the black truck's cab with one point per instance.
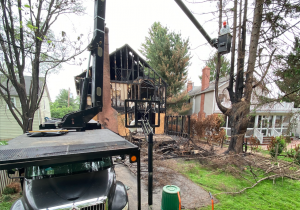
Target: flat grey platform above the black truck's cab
point(24, 151)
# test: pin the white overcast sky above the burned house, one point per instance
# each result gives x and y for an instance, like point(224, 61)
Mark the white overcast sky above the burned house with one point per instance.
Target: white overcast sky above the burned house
point(129, 22)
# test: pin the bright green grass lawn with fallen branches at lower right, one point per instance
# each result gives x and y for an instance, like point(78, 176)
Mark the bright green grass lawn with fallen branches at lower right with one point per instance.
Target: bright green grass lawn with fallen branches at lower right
point(285, 194)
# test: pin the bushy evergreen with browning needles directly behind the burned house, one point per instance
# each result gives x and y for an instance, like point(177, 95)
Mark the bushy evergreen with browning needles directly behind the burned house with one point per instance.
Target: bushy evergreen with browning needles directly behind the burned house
point(169, 54)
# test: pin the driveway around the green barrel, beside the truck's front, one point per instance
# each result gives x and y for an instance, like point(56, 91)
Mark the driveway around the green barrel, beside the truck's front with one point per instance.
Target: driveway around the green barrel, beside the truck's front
point(192, 195)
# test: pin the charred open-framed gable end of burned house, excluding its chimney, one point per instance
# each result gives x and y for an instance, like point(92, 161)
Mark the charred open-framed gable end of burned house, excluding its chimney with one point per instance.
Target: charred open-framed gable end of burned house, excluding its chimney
point(131, 77)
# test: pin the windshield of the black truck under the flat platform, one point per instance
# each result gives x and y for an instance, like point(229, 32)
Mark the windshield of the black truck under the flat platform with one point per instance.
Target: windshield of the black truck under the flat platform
point(40, 172)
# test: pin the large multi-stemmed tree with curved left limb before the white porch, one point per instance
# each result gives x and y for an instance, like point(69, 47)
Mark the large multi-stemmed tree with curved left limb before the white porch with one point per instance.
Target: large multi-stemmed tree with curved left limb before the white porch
point(238, 114)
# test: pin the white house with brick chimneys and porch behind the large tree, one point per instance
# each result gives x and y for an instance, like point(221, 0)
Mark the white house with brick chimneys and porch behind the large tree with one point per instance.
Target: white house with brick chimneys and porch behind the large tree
point(267, 120)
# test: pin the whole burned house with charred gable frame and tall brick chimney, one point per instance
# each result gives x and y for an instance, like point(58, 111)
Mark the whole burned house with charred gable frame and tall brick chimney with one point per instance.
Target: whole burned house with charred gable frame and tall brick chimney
point(125, 76)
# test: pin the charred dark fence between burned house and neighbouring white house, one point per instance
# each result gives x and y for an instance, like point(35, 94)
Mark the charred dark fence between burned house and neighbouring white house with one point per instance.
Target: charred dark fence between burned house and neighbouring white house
point(178, 125)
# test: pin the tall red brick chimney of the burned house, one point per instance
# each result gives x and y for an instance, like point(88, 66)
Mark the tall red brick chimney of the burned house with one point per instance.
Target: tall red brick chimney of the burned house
point(108, 118)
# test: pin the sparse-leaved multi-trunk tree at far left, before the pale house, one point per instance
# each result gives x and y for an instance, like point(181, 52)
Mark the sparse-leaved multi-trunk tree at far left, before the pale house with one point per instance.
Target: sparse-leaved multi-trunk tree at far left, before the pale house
point(16, 51)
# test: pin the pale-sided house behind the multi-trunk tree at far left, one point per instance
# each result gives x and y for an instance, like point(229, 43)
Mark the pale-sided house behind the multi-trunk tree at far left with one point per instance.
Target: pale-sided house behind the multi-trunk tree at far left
point(9, 128)
